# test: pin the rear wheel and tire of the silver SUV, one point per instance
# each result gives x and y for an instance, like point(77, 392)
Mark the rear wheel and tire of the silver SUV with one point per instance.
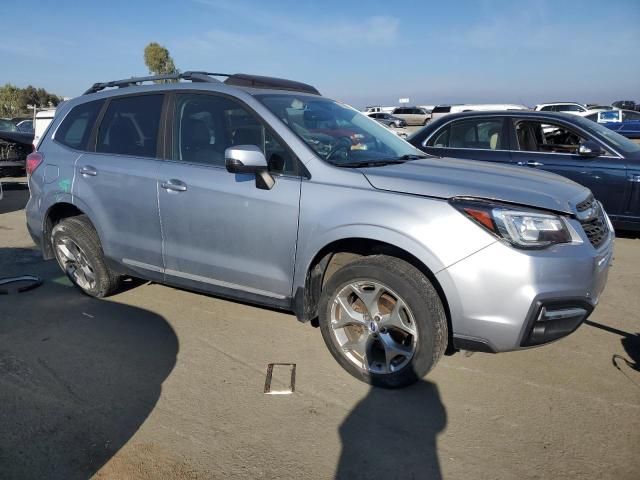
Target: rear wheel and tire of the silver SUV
point(79, 253)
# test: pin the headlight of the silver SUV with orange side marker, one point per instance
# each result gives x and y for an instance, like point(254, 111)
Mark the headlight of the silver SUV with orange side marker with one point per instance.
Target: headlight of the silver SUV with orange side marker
point(522, 228)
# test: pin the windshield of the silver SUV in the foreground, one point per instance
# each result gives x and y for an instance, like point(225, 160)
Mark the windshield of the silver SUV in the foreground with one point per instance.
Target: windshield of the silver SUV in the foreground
point(337, 133)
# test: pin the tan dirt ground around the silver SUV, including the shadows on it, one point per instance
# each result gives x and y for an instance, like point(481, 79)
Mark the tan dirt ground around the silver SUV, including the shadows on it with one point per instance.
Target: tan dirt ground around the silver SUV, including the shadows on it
point(157, 382)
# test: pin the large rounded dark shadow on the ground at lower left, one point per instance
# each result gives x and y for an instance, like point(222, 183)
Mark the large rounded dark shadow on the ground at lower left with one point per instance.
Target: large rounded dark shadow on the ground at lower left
point(78, 376)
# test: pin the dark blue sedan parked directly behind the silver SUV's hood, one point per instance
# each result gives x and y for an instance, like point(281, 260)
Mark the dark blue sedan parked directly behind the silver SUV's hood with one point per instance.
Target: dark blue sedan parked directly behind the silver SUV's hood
point(569, 145)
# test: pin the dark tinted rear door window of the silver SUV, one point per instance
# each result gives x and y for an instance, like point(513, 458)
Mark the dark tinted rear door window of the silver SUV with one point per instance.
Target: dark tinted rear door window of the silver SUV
point(130, 126)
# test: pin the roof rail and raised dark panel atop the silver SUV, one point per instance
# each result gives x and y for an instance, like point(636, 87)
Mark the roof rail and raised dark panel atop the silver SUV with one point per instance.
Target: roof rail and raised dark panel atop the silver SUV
point(236, 79)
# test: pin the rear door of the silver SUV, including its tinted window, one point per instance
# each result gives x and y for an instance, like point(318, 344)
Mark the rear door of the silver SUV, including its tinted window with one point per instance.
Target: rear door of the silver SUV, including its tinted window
point(118, 181)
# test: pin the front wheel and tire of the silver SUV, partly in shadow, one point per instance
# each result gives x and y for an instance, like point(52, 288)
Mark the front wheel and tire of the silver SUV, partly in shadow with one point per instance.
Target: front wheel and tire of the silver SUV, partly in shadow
point(422, 336)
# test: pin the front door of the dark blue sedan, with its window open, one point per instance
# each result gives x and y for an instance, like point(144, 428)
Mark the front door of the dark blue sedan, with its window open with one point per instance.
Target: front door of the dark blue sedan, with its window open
point(553, 146)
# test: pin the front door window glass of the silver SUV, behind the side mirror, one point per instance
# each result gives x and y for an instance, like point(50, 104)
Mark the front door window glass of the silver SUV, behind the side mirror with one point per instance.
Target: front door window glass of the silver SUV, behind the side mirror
point(206, 125)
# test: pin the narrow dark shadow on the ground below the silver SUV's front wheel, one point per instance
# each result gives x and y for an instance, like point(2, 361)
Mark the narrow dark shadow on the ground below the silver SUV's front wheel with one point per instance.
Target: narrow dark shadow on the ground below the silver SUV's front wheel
point(392, 434)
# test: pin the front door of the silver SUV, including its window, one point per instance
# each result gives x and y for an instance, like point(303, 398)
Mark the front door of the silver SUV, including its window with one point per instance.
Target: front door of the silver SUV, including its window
point(220, 231)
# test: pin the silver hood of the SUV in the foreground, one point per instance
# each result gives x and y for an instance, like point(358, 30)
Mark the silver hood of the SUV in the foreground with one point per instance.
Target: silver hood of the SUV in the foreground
point(448, 177)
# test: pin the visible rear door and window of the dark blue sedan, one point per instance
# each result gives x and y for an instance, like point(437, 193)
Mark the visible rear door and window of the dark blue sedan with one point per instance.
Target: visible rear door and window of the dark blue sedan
point(477, 138)
